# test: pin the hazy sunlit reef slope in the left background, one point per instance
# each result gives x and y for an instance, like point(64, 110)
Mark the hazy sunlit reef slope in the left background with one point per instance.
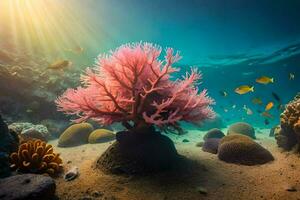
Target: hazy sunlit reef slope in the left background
point(28, 90)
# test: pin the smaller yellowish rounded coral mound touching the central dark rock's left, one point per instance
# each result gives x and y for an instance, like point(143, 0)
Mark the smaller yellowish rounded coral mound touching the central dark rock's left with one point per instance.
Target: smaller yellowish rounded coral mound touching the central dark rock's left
point(101, 135)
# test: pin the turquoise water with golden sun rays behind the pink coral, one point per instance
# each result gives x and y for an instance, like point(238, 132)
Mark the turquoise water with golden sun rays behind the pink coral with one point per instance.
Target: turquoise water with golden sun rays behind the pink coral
point(231, 42)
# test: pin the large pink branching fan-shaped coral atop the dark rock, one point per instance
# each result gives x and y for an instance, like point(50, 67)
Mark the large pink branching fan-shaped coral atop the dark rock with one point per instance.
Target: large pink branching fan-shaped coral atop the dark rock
point(132, 86)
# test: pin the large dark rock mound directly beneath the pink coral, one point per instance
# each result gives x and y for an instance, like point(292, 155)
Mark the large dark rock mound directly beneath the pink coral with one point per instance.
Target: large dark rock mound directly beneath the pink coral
point(139, 152)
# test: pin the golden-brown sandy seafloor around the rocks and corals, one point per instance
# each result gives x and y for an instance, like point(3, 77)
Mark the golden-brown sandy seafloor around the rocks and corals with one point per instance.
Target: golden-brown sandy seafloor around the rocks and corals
point(223, 181)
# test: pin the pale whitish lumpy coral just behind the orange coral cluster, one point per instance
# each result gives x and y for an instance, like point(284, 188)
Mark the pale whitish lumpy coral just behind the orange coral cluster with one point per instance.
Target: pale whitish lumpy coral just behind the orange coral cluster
point(27, 131)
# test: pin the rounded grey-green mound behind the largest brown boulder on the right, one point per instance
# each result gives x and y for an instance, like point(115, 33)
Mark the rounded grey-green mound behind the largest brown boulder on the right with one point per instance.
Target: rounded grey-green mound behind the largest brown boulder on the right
point(242, 128)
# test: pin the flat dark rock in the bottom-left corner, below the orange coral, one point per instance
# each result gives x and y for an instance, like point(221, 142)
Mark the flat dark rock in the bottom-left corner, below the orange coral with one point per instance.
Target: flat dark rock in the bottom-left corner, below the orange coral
point(27, 187)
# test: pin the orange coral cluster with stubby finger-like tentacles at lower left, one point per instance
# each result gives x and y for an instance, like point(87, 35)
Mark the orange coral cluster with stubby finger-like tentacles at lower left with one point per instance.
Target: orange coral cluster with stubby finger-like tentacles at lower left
point(35, 156)
